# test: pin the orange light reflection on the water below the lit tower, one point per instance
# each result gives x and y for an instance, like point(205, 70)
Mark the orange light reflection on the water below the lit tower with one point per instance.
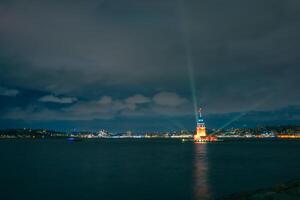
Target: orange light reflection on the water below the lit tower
point(201, 187)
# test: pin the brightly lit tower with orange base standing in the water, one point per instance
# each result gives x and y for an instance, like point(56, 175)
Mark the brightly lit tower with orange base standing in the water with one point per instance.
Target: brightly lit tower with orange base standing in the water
point(201, 135)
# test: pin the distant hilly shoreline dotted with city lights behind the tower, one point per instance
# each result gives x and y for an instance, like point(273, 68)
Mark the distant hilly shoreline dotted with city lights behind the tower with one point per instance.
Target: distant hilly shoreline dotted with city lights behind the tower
point(279, 132)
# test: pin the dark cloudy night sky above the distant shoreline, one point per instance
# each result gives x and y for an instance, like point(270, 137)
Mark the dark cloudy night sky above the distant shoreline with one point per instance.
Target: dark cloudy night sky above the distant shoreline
point(144, 65)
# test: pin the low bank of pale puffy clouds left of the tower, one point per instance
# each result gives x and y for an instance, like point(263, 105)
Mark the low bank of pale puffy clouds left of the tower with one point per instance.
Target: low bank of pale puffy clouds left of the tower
point(162, 104)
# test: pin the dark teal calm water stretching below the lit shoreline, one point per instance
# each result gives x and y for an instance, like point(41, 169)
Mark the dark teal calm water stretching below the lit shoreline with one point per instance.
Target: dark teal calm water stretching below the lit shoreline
point(142, 169)
